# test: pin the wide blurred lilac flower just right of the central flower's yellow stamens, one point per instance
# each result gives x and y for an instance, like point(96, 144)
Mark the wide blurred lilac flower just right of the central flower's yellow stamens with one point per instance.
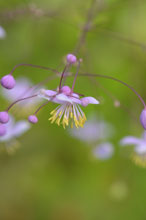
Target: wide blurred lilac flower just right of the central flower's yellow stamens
point(93, 131)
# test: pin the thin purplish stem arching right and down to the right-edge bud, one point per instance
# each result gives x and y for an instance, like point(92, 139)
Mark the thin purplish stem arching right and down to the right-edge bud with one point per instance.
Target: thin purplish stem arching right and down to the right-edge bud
point(117, 80)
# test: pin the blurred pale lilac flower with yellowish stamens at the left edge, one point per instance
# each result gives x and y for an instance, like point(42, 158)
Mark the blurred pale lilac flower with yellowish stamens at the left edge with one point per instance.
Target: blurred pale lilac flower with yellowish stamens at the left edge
point(13, 130)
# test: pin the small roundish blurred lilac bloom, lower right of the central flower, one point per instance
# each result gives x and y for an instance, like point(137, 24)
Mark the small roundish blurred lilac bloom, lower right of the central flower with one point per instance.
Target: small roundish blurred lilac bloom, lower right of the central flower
point(103, 151)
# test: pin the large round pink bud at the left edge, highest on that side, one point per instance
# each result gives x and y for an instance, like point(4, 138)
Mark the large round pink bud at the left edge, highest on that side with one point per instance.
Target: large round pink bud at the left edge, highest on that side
point(8, 81)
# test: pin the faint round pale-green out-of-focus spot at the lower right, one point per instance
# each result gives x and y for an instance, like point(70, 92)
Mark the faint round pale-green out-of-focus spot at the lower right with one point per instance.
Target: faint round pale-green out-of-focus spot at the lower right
point(118, 191)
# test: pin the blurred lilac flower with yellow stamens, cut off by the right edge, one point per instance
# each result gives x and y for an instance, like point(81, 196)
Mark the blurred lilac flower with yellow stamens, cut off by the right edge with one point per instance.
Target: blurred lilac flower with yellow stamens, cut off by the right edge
point(139, 155)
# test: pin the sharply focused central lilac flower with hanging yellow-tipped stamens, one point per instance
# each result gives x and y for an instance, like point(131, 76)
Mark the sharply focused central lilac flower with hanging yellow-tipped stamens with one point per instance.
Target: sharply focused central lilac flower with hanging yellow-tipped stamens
point(69, 109)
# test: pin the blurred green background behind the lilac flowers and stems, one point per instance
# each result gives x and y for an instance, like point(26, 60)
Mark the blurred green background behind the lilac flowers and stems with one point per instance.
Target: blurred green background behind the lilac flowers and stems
point(55, 174)
